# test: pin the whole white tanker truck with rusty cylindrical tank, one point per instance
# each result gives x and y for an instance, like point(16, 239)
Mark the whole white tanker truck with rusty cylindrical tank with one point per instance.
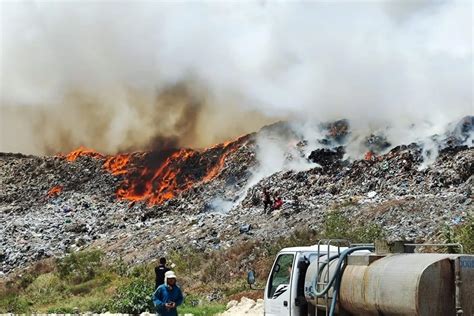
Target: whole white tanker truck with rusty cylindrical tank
point(358, 280)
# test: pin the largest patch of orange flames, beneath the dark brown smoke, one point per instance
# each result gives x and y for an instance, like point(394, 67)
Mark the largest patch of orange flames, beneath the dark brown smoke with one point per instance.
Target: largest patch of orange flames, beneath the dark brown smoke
point(156, 177)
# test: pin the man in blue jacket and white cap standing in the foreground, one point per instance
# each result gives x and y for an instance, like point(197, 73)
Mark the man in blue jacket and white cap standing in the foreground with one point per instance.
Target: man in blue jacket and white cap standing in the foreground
point(168, 296)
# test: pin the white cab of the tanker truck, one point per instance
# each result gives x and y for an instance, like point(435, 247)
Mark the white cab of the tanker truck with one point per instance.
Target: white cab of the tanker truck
point(284, 291)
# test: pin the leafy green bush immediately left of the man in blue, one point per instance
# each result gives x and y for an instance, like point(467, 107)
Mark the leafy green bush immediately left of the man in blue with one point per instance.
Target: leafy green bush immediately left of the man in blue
point(133, 298)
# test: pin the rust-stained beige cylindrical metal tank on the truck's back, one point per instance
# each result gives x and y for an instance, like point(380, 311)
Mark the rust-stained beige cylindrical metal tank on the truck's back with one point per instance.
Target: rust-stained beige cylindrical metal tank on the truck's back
point(401, 284)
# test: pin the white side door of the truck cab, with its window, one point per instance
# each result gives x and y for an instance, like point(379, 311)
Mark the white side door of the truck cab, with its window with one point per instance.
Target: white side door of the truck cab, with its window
point(278, 293)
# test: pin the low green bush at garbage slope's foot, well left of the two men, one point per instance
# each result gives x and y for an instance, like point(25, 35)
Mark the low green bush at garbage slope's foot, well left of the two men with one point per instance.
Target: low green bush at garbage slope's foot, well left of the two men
point(80, 266)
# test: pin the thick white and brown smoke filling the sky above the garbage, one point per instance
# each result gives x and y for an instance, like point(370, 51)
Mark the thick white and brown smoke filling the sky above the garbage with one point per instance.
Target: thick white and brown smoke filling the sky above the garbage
point(121, 75)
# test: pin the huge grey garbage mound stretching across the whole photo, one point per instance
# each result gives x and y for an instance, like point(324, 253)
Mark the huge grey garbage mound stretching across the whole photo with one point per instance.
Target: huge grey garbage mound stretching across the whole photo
point(392, 186)
